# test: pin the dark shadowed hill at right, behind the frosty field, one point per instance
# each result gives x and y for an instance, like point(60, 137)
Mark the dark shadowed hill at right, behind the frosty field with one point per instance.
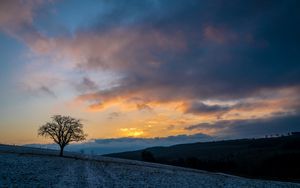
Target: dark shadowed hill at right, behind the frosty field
point(275, 158)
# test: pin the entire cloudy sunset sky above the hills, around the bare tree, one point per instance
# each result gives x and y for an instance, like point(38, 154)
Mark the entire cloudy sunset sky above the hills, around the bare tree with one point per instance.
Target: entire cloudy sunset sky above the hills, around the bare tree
point(152, 68)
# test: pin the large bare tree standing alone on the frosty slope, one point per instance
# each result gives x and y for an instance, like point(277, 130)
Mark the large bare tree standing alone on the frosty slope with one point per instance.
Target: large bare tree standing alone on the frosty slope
point(63, 130)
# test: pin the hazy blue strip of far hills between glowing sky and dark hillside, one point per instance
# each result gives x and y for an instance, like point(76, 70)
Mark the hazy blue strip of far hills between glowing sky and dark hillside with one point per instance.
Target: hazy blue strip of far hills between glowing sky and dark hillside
point(128, 144)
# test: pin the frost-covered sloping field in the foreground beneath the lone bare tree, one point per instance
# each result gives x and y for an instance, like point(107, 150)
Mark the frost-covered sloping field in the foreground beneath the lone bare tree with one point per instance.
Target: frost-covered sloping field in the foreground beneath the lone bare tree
point(28, 167)
